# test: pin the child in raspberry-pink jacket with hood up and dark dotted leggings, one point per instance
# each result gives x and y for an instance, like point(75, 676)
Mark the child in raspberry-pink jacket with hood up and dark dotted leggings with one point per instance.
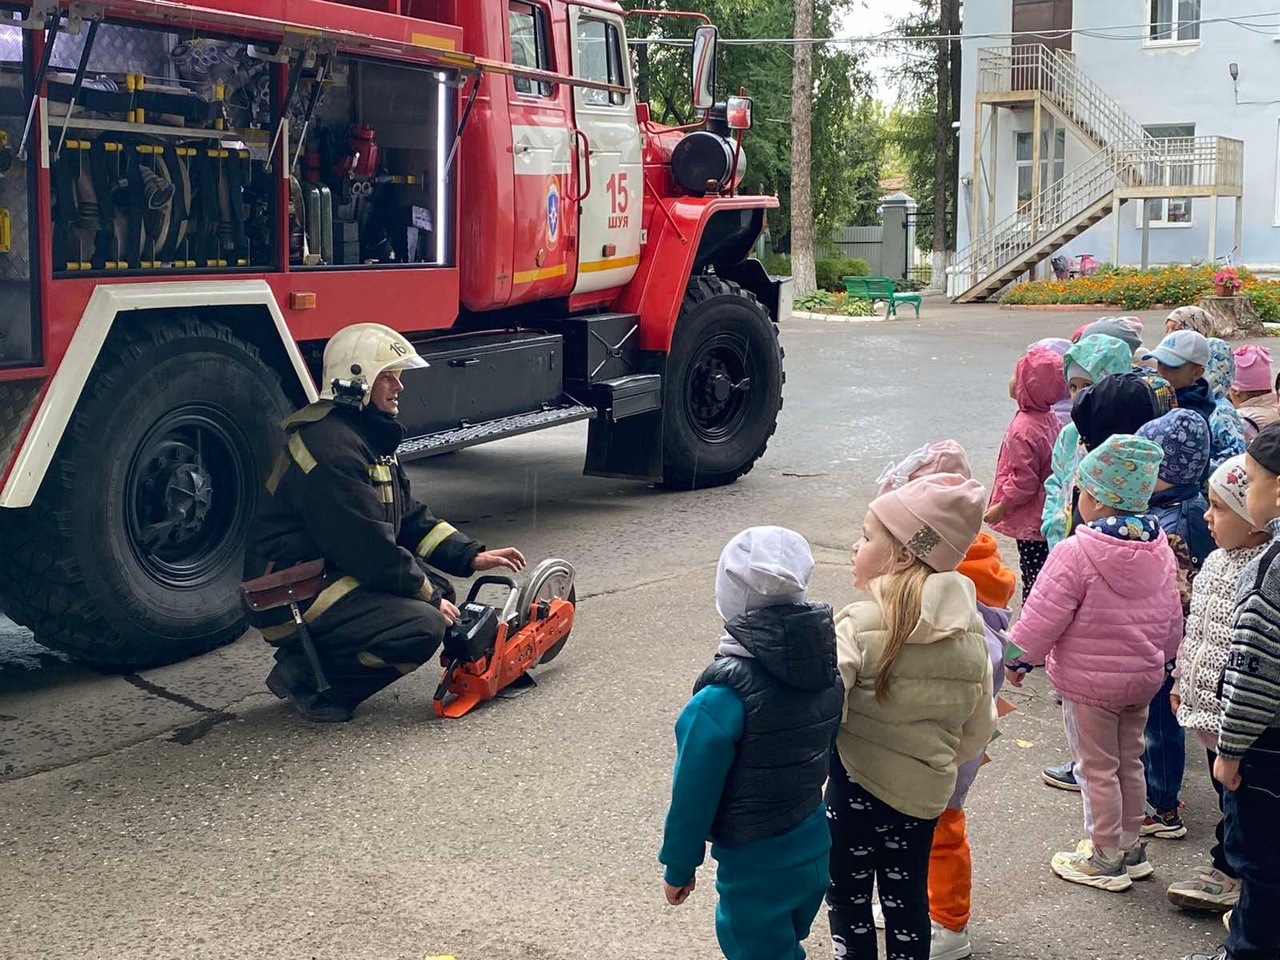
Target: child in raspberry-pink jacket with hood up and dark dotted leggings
point(1025, 463)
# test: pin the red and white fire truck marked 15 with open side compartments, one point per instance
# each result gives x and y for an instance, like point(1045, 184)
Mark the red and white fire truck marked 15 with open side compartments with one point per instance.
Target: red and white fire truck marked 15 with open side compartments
point(194, 196)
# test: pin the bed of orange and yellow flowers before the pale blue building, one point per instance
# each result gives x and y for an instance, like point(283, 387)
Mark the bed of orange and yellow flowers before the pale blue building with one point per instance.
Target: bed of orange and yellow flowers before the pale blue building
point(1144, 290)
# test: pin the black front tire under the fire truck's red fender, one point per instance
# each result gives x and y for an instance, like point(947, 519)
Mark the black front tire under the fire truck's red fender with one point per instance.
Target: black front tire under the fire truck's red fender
point(723, 390)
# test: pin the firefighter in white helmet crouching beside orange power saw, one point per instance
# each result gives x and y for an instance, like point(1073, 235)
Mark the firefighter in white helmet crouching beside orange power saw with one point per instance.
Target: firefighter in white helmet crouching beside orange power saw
point(339, 493)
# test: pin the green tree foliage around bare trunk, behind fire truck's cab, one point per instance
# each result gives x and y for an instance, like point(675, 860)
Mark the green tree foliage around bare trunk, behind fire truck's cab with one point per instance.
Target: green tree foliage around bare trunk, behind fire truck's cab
point(848, 138)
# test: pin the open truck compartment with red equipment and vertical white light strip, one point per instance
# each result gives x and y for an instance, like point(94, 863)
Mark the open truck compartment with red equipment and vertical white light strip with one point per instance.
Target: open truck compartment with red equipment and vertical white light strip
point(369, 188)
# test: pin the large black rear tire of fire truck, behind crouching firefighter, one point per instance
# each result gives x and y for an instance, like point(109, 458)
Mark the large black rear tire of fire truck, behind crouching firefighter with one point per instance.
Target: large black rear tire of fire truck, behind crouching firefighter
point(132, 554)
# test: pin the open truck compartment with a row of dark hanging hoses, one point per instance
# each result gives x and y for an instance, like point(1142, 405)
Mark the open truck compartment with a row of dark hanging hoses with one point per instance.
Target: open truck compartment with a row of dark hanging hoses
point(158, 152)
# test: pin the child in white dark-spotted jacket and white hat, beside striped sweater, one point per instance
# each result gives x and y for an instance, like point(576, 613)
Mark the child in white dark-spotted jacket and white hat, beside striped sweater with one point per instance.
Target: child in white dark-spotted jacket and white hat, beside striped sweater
point(1203, 659)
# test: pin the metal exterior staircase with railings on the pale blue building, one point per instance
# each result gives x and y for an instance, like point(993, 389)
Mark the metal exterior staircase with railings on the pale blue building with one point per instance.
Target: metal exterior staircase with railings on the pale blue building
point(1127, 163)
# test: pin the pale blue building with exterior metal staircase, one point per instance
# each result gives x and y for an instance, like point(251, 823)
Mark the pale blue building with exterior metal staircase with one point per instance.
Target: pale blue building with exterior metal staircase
point(1154, 94)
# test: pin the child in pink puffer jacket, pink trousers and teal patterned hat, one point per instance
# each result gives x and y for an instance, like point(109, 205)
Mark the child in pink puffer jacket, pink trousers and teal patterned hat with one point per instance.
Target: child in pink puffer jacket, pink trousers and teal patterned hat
point(1105, 619)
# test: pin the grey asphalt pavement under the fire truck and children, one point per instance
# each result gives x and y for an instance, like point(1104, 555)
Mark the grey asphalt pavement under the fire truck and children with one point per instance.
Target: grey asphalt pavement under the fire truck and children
point(188, 813)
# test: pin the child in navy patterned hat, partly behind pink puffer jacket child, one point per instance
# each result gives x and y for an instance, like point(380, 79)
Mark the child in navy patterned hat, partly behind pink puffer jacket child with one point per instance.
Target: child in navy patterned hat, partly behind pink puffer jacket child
point(1180, 506)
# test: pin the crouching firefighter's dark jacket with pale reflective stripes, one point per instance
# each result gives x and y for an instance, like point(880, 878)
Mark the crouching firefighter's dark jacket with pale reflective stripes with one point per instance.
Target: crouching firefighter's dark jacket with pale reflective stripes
point(339, 493)
